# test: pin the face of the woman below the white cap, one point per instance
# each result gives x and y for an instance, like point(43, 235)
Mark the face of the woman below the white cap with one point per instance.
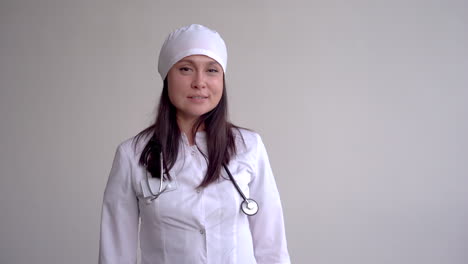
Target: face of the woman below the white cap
point(195, 86)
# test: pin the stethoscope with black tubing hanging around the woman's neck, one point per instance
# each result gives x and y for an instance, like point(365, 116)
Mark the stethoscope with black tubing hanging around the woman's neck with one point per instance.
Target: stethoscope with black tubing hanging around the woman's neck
point(248, 206)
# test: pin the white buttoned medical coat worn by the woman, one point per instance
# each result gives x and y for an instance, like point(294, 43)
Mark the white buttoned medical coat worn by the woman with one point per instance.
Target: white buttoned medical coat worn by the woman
point(186, 225)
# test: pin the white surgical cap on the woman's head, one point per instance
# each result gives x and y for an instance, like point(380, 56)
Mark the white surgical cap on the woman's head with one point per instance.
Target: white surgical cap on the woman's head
point(191, 40)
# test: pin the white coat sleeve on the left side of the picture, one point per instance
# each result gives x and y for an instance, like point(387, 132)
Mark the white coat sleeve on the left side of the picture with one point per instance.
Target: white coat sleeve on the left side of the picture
point(120, 214)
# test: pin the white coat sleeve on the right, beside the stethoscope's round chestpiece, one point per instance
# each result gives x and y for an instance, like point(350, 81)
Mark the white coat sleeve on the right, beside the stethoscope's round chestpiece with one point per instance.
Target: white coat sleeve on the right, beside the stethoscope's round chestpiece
point(267, 226)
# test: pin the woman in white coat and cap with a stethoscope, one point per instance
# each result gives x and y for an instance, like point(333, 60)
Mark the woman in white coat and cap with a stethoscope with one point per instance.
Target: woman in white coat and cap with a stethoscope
point(202, 187)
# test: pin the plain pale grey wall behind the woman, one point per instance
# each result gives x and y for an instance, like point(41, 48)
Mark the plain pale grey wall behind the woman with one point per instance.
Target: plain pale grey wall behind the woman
point(362, 106)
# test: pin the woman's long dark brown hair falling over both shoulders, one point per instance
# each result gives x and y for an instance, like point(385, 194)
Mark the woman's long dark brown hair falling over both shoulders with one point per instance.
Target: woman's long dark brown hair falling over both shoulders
point(165, 138)
